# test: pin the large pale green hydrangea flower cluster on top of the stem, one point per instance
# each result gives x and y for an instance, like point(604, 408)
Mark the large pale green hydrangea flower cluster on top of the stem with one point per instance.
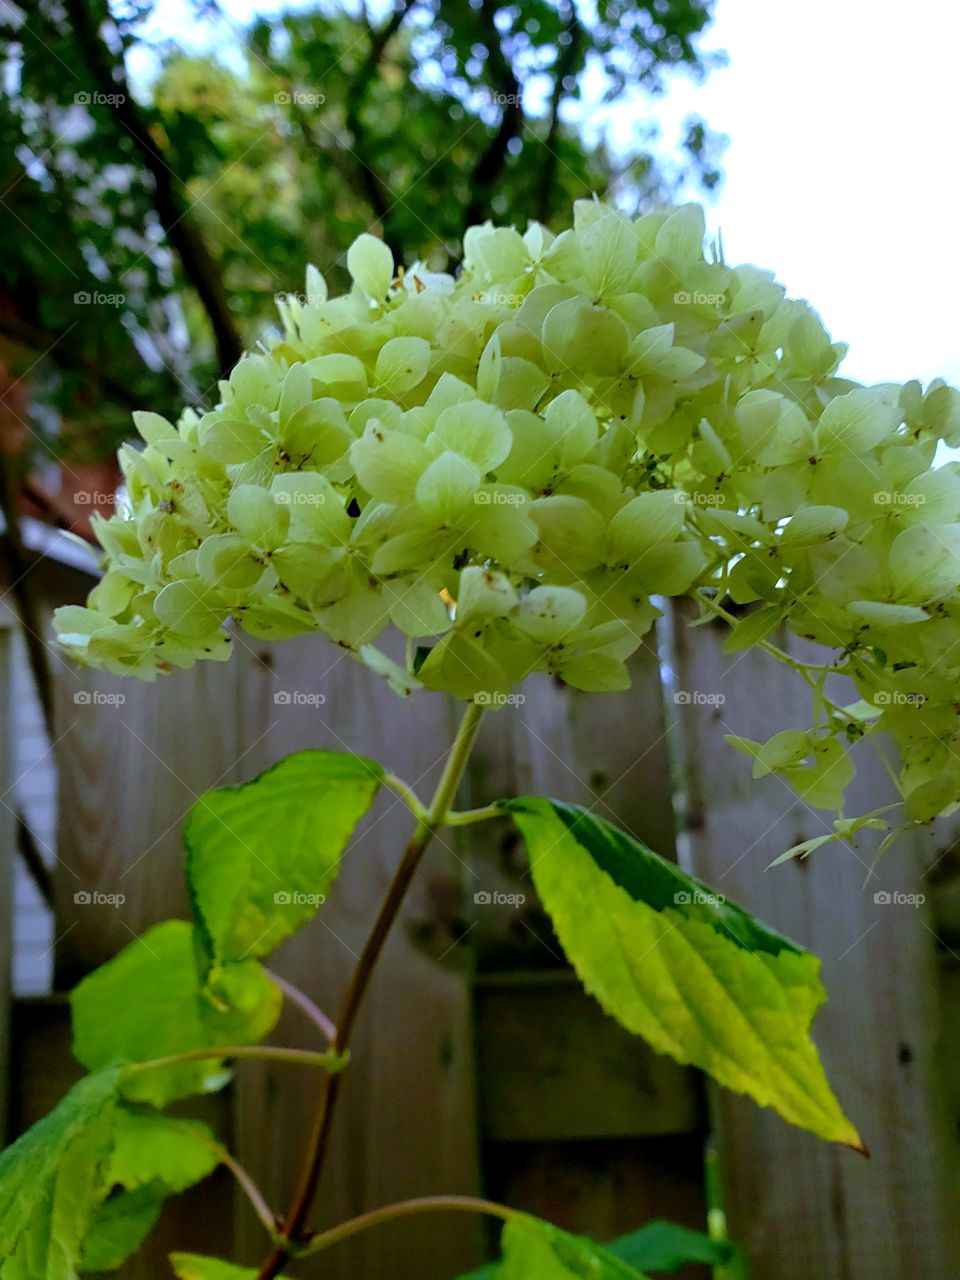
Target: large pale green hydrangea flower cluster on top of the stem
point(511, 465)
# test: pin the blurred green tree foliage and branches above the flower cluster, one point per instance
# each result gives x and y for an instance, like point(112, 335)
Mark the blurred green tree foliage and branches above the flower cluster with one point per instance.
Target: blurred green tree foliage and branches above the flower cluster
point(150, 218)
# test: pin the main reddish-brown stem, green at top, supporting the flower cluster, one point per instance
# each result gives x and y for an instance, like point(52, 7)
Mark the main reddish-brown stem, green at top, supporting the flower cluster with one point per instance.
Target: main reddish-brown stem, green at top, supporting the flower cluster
point(427, 828)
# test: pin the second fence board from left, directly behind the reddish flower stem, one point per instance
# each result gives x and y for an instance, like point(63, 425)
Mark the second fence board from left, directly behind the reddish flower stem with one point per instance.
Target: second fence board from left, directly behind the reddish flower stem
point(409, 1113)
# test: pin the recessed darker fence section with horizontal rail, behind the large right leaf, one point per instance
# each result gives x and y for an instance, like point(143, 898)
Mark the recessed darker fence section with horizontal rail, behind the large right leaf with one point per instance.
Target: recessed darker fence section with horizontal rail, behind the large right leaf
point(556, 1072)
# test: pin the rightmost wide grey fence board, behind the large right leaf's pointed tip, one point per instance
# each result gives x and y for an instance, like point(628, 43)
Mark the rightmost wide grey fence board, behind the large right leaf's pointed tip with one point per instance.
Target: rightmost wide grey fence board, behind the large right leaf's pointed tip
point(803, 1208)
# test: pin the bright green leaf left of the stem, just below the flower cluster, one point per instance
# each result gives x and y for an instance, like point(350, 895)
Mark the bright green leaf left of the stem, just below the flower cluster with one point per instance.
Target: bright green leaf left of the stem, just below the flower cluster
point(263, 856)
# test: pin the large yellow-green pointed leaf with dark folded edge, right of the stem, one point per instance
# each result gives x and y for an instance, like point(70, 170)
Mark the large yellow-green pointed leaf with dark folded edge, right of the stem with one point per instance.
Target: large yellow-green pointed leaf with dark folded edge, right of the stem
point(696, 976)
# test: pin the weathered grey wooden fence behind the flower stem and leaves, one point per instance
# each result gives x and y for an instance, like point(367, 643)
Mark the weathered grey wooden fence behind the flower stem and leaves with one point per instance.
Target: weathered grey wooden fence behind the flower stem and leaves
point(479, 1063)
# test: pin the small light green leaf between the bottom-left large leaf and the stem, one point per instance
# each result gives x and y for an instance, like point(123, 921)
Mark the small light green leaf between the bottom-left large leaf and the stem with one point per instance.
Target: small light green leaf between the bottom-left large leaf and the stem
point(158, 1149)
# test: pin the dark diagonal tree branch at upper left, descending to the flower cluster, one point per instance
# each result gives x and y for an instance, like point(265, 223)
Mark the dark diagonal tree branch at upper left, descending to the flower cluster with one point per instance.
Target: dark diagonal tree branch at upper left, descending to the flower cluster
point(199, 267)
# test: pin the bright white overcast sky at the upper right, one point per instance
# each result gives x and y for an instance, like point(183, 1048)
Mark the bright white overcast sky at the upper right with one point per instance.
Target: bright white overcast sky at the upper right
point(842, 172)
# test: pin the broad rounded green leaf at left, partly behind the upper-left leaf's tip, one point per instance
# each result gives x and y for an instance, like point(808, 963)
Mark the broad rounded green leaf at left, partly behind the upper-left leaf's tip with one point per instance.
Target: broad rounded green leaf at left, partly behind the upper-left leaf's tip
point(148, 1003)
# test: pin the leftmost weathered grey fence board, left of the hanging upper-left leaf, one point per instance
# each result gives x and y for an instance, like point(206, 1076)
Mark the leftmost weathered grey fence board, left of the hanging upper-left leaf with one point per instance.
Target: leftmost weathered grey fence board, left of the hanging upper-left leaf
point(132, 760)
